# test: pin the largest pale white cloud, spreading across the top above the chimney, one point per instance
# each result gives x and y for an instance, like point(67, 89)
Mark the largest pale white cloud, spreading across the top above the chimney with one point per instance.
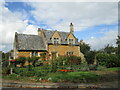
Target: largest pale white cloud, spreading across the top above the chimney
point(83, 15)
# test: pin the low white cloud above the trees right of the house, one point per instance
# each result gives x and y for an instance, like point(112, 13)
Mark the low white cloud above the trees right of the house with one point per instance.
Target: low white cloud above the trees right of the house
point(101, 42)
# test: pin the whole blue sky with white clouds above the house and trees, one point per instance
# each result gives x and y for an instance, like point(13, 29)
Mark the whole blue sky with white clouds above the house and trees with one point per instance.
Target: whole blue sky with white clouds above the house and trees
point(96, 23)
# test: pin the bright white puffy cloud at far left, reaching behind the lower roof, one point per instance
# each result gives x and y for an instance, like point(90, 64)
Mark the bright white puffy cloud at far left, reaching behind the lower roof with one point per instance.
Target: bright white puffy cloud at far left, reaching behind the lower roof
point(11, 22)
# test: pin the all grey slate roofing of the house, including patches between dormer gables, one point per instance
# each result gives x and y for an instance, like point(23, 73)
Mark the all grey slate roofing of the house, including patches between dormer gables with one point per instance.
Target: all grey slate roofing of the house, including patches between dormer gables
point(36, 42)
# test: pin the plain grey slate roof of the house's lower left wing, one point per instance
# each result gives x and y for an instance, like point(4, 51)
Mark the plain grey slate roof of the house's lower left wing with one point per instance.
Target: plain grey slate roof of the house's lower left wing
point(30, 42)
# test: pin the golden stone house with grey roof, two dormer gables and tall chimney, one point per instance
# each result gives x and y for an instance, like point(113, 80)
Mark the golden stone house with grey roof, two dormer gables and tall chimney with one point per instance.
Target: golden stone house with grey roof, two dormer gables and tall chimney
point(48, 42)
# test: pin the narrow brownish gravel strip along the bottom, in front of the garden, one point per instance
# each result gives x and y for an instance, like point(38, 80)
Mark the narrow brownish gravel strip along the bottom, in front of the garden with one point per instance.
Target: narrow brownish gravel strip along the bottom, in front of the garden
point(11, 83)
